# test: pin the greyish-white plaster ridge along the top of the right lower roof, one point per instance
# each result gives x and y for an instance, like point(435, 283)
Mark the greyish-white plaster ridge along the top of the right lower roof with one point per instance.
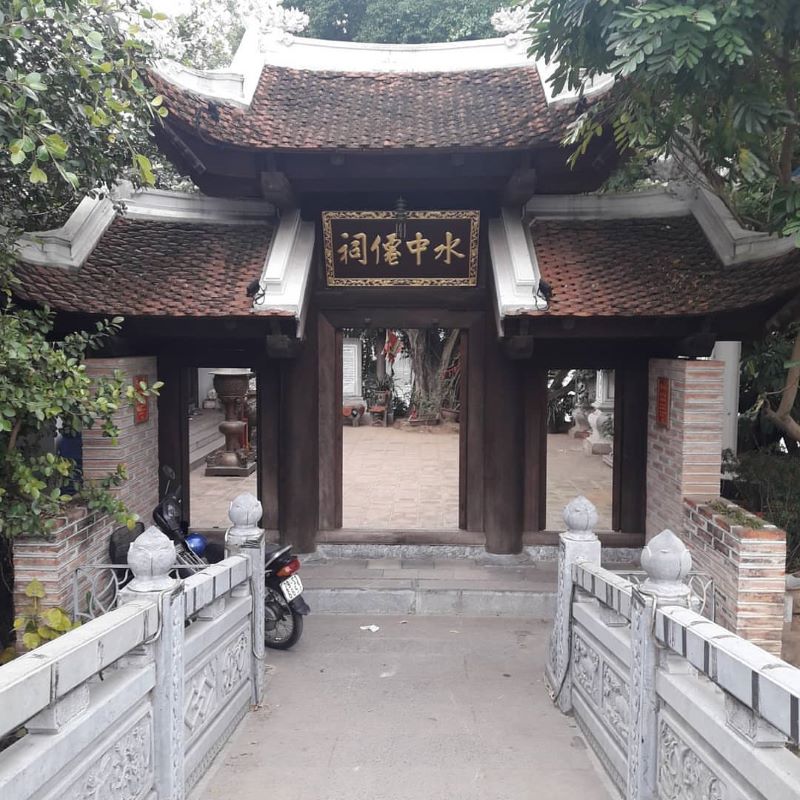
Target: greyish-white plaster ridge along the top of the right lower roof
point(732, 243)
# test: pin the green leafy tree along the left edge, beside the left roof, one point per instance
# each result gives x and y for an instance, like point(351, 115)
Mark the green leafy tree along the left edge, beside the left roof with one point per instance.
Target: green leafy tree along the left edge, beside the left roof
point(75, 116)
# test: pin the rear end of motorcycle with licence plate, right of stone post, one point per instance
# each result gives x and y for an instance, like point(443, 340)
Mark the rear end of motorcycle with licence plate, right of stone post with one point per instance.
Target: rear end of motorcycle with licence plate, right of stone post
point(284, 606)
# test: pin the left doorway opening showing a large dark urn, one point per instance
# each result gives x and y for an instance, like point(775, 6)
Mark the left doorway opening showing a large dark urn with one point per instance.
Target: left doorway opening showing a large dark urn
point(222, 443)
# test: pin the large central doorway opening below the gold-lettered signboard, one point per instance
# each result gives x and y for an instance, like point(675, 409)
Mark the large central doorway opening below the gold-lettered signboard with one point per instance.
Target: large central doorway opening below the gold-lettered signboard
point(401, 437)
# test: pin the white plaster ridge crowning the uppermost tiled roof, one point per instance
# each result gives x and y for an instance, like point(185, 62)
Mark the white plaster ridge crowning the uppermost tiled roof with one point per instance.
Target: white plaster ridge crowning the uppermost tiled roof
point(237, 84)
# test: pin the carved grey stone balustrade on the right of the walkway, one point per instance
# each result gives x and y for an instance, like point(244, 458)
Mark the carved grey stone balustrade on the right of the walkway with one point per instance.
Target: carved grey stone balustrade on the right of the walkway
point(672, 704)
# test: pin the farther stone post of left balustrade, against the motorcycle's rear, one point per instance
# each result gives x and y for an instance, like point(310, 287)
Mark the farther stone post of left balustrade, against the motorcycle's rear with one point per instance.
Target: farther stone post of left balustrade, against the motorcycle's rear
point(245, 538)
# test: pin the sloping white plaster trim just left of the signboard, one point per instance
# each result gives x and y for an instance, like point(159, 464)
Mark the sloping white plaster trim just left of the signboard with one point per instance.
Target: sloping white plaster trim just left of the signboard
point(285, 278)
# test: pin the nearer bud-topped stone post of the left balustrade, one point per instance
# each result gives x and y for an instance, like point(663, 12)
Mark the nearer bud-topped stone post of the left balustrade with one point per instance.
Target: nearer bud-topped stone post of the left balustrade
point(150, 558)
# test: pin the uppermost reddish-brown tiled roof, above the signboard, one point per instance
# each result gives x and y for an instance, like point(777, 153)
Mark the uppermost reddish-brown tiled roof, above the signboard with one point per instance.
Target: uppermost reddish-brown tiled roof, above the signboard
point(309, 110)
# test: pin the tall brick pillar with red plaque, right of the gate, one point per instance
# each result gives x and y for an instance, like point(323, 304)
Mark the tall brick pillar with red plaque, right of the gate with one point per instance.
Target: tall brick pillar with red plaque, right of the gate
point(684, 457)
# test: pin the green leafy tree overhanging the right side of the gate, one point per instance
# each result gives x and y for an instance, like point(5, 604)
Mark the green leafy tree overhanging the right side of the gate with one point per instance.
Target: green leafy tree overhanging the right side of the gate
point(711, 84)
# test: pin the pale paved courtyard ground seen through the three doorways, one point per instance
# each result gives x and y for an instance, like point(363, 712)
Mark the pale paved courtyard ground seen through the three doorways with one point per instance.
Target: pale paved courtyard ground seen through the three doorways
point(407, 478)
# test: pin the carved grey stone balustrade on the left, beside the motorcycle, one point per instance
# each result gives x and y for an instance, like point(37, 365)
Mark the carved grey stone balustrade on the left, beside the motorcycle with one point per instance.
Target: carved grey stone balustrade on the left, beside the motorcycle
point(136, 703)
